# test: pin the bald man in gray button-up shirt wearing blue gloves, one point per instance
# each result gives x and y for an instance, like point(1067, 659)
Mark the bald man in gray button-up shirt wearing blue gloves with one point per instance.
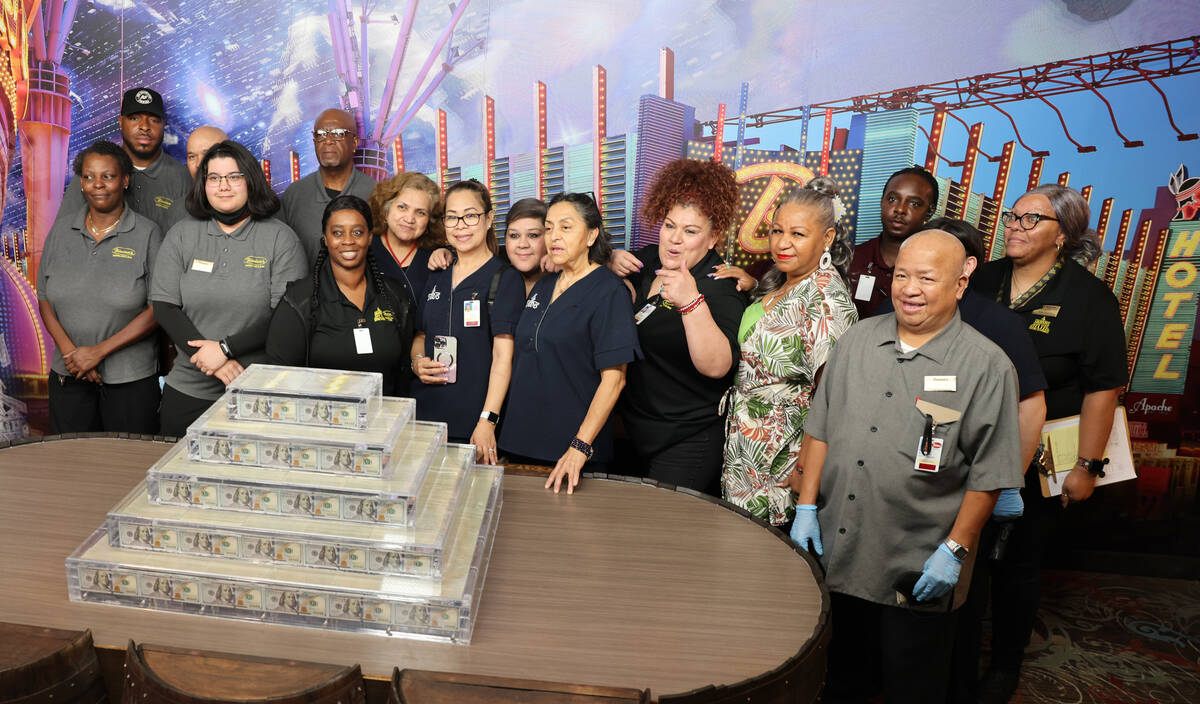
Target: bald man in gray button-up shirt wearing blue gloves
point(911, 437)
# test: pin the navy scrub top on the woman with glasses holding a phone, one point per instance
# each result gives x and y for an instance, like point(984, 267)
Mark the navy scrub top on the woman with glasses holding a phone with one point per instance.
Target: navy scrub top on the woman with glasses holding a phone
point(441, 312)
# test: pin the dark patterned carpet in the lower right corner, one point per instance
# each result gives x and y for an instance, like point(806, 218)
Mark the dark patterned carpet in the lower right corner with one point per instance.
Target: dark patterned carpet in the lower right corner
point(1114, 640)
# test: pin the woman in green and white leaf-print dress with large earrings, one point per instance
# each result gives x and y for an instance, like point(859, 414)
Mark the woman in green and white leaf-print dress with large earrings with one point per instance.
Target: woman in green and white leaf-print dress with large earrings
point(803, 308)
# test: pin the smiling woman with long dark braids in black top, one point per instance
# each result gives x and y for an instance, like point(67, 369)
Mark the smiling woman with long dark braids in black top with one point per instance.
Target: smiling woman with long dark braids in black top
point(346, 315)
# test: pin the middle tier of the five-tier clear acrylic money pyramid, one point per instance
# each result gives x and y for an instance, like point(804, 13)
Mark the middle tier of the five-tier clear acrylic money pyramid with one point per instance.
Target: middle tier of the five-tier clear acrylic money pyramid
point(178, 482)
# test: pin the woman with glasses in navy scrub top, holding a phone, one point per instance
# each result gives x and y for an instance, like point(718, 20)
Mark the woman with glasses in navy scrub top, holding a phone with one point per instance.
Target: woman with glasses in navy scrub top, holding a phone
point(463, 352)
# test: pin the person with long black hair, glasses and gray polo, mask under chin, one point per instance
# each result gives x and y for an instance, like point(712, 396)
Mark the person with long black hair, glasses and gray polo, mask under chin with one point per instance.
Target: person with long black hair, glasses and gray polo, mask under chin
point(217, 280)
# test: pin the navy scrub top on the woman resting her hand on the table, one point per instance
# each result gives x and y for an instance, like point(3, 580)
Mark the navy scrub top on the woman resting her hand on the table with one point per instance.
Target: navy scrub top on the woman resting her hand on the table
point(561, 350)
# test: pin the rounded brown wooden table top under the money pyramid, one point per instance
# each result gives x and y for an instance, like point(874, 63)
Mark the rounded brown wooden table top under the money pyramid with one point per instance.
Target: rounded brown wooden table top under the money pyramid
point(621, 585)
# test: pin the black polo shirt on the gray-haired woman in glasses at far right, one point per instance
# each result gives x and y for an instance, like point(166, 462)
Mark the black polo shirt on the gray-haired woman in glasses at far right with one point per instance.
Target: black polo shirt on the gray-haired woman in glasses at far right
point(1076, 327)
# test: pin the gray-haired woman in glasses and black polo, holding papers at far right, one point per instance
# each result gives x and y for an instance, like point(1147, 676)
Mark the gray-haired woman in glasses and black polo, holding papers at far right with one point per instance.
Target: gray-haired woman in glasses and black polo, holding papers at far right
point(1077, 329)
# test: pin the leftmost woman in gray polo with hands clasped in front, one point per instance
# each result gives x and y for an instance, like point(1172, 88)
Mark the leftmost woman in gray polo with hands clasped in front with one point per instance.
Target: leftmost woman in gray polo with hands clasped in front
point(93, 291)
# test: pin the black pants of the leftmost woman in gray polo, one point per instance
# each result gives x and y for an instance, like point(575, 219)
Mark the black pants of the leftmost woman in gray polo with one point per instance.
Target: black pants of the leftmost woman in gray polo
point(83, 407)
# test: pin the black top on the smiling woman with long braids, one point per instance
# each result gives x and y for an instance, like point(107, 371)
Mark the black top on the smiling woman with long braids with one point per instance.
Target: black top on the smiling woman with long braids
point(333, 346)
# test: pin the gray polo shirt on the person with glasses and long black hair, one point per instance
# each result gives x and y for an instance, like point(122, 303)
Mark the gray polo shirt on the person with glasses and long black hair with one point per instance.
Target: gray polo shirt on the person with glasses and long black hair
point(225, 284)
